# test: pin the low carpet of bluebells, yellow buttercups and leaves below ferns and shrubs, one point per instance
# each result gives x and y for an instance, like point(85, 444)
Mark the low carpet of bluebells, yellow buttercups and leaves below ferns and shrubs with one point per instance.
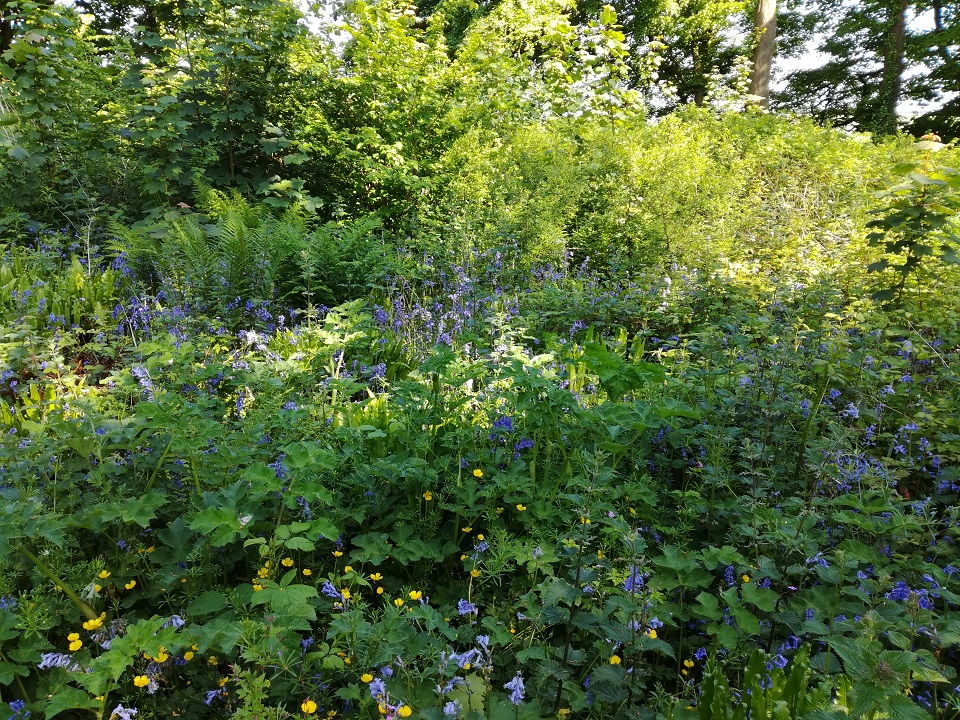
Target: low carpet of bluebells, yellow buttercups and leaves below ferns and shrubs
point(465, 496)
